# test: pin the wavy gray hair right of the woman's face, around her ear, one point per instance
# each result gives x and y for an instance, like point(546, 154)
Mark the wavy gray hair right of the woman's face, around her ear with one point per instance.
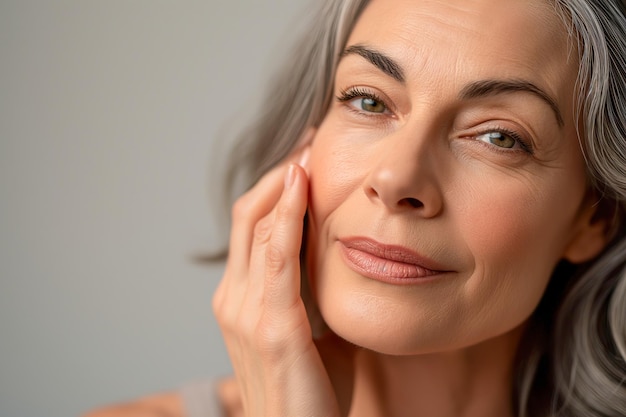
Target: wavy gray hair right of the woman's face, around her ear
point(589, 347)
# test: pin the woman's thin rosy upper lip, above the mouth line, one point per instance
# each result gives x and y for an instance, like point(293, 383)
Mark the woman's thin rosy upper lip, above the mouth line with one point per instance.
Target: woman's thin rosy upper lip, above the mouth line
point(391, 252)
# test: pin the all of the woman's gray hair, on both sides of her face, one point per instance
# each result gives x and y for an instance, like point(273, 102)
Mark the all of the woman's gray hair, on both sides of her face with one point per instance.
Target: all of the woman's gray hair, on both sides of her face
point(572, 360)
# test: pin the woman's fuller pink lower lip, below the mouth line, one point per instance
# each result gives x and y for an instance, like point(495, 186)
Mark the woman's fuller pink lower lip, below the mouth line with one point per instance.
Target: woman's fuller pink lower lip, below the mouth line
point(385, 270)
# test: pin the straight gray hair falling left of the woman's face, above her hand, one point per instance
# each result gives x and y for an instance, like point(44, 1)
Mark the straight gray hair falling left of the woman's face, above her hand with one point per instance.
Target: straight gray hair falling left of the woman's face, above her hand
point(309, 77)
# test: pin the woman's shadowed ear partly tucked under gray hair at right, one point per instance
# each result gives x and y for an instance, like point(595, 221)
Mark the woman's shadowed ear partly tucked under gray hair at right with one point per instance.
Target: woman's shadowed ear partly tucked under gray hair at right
point(593, 231)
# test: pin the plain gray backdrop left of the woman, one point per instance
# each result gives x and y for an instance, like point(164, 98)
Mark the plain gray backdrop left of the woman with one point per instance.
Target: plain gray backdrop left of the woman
point(108, 112)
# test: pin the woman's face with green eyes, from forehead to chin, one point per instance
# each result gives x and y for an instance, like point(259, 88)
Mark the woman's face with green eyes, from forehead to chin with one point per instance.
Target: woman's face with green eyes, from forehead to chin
point(446, 178)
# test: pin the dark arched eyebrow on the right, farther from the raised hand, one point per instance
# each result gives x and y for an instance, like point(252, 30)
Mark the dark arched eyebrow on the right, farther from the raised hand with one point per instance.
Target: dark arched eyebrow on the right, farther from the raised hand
point(485, 88)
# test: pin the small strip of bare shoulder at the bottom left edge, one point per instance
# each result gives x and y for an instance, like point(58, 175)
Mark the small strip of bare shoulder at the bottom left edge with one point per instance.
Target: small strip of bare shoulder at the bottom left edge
point(159, 405)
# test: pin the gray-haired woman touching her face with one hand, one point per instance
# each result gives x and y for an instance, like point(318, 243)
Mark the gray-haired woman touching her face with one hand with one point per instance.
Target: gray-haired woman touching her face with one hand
point(462, 172)
